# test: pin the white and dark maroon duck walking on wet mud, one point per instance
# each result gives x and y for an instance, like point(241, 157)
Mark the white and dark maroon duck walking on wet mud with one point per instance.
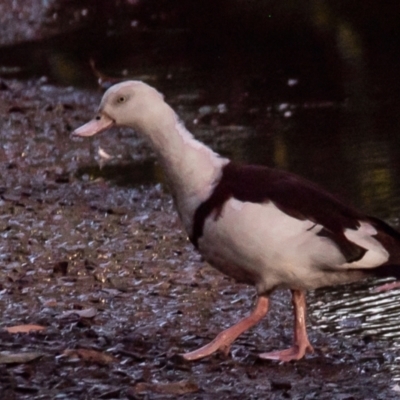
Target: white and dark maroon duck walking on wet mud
point(261, 226)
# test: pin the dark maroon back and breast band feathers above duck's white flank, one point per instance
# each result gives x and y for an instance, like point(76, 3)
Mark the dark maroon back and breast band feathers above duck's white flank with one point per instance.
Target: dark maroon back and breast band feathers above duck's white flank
point(293, 195)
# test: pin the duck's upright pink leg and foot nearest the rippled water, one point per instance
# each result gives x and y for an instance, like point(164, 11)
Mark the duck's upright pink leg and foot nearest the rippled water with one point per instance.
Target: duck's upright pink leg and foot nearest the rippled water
point(301, 345)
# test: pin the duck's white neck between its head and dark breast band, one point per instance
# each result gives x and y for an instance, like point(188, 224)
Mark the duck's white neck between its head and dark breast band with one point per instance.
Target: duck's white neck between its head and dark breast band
point(192, 168)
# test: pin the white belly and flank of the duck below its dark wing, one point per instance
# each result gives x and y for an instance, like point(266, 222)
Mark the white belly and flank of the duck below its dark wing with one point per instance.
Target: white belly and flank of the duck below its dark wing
point(261, 245)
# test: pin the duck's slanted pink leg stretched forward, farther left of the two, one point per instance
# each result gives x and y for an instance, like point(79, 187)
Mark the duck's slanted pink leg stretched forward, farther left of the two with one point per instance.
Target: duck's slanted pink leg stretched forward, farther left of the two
point(224, 340)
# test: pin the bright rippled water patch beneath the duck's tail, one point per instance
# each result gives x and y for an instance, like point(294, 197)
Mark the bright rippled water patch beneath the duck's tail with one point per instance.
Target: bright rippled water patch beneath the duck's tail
point(358, 310)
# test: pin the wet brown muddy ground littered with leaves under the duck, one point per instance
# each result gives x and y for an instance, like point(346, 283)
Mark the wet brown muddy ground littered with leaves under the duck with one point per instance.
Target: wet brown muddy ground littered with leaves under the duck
point(97, 256)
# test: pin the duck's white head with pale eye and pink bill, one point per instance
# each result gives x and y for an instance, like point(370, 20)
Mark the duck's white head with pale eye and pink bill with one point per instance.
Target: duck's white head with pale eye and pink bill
point(125, 104)
